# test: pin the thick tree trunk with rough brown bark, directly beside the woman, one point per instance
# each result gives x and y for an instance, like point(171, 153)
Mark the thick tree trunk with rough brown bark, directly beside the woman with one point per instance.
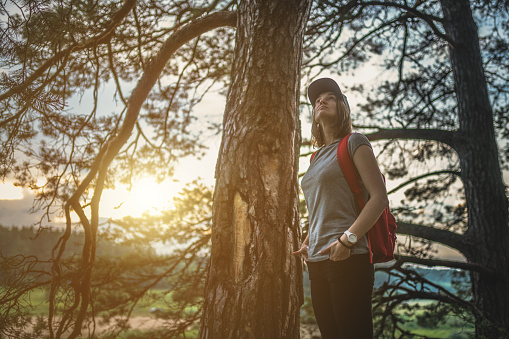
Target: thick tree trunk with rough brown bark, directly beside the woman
point(254, 285)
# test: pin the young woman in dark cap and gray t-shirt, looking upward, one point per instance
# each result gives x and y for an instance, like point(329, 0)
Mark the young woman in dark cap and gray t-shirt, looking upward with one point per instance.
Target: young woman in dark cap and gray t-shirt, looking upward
point(336, 248)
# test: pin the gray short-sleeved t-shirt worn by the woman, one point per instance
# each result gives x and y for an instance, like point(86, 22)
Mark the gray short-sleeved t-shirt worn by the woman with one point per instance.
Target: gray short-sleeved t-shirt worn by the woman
point(332, 206)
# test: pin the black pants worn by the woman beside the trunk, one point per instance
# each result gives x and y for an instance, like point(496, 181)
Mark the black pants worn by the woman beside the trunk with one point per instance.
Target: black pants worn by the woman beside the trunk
point(341, 294)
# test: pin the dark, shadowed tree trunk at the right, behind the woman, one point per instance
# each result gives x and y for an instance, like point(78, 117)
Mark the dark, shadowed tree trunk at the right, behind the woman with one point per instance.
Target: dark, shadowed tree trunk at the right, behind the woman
point(488, 229)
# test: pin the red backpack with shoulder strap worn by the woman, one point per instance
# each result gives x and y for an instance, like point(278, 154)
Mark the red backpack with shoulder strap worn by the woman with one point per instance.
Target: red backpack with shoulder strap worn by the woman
point(382, 236)
